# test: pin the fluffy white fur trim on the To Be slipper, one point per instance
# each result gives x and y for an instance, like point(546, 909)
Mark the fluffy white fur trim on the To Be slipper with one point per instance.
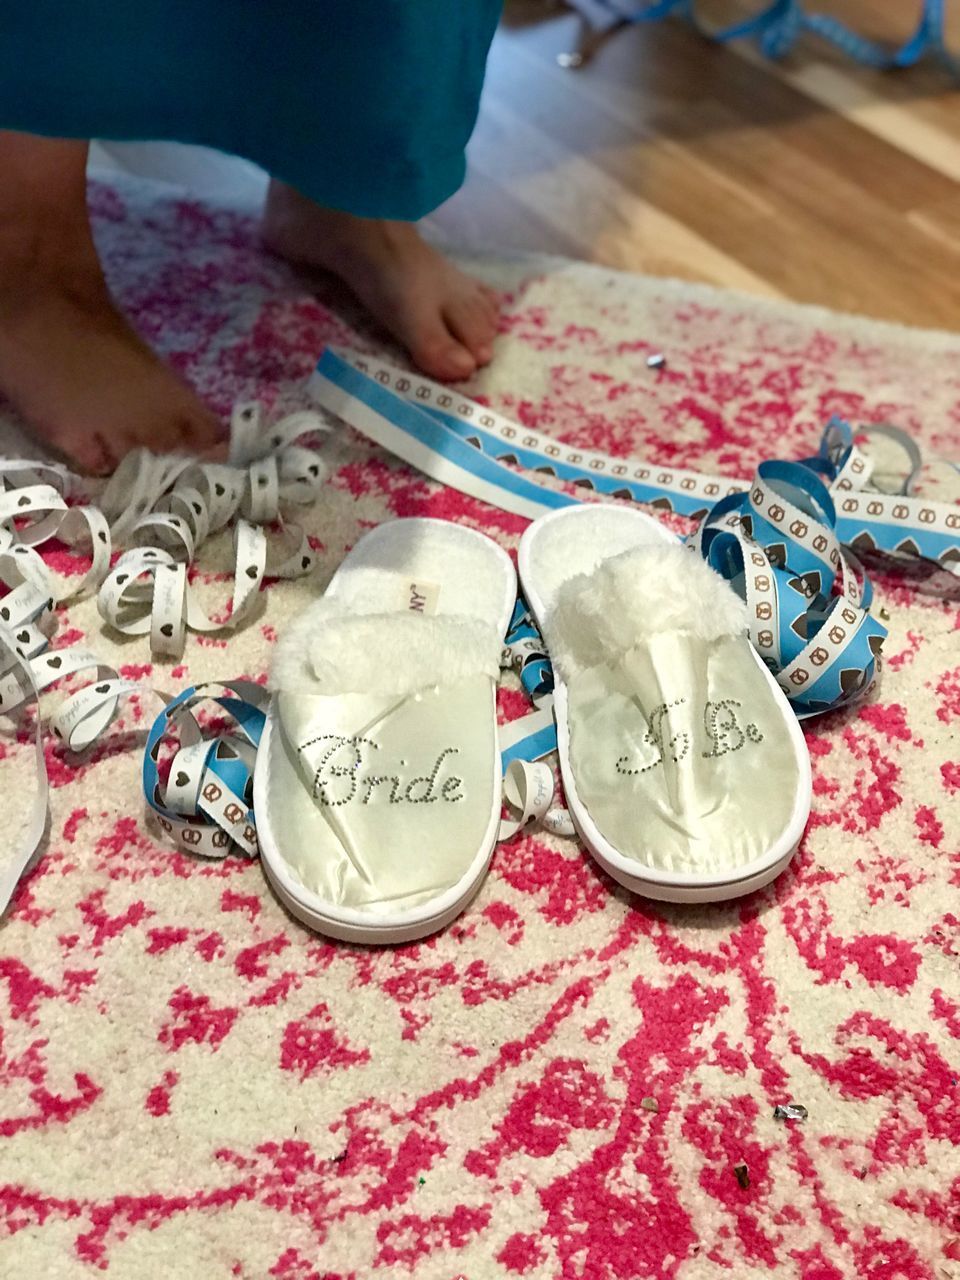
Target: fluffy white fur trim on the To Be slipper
point(604, 615)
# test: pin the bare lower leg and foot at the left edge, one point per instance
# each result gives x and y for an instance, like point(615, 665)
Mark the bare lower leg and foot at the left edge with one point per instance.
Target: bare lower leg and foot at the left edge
point(70, 363)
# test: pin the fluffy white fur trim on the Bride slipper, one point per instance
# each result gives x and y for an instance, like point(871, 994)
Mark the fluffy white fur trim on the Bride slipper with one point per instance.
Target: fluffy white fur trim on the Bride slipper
point(330, 651)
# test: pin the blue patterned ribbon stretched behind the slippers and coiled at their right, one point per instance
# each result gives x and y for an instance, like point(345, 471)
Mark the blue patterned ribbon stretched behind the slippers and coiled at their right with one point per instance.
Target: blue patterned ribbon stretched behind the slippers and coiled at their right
point(787, 543)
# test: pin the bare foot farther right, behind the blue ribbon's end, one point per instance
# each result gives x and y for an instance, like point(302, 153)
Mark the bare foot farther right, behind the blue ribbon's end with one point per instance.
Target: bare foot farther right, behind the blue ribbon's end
point(446, 319)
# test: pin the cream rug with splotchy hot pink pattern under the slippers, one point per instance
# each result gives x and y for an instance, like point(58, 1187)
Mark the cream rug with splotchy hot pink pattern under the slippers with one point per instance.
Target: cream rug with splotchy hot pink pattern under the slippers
point(196, 1086)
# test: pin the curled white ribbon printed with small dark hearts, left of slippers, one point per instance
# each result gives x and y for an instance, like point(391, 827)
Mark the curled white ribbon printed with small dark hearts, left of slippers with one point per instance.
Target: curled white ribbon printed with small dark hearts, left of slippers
point(163, 509)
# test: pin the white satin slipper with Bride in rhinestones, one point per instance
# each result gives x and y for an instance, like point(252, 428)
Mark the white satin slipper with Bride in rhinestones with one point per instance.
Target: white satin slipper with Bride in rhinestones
point(378, 781)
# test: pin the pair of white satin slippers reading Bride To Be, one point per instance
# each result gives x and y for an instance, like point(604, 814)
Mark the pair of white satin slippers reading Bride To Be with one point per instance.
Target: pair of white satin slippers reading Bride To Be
point(378, 785)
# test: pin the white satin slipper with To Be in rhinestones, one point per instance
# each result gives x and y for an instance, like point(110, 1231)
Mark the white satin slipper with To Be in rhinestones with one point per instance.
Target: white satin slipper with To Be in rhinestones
point(685, 770)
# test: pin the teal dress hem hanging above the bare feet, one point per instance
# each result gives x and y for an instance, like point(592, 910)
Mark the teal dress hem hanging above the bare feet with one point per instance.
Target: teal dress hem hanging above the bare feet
point(364, 106)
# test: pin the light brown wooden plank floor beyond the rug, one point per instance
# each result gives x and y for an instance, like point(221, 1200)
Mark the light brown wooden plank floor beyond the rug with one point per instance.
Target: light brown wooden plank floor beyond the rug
point(810, 180)
